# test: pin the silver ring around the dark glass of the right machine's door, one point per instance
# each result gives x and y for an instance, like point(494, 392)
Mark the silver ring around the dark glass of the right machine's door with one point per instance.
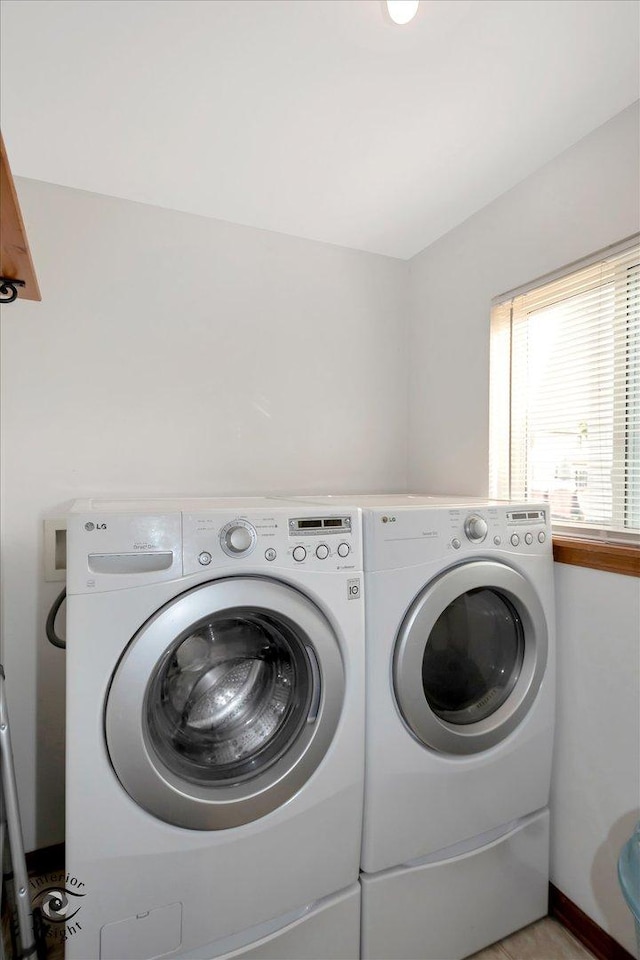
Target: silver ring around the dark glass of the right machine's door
point(417, 625)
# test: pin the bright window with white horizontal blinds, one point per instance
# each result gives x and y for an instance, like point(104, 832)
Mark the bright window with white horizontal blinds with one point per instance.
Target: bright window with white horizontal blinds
point(565, 396)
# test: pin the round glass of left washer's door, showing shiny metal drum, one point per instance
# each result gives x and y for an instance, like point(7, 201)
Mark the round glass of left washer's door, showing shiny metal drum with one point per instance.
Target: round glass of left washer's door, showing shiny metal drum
point(229, 699)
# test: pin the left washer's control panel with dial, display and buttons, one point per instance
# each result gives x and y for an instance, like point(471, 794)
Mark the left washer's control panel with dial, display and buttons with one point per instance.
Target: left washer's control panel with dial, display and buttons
point(313, 541)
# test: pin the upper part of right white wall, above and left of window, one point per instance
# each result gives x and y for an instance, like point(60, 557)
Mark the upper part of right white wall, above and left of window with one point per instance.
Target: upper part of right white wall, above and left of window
point(585, 199)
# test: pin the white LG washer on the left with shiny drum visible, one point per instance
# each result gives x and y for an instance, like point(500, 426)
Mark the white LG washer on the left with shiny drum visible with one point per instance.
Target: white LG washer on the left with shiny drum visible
point(215, 728)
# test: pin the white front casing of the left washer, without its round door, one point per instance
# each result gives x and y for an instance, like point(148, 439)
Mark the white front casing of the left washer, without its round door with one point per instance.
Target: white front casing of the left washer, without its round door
point(131, 862)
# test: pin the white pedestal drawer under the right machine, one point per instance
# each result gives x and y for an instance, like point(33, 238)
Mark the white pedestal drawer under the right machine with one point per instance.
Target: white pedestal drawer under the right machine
point(447, 909)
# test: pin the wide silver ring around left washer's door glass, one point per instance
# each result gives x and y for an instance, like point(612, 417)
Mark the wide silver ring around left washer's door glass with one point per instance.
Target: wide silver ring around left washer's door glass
point(139, 768)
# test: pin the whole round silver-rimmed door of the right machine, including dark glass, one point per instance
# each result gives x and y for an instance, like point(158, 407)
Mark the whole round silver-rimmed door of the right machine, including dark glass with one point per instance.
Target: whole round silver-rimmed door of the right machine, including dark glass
point(470, 657)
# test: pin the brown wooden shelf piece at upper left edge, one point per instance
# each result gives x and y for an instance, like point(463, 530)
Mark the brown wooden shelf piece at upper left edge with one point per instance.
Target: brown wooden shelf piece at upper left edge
point(15, 256)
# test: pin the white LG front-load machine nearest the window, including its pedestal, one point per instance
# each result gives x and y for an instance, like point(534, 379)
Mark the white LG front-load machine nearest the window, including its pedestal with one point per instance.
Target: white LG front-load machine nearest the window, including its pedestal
point(460, 720)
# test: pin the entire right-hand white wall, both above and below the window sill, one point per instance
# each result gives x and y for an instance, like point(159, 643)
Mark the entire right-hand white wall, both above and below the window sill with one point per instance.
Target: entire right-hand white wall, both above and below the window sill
point(582, 201)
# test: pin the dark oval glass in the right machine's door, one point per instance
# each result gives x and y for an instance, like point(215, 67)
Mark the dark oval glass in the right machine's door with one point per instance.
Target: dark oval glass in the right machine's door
point(473, 656)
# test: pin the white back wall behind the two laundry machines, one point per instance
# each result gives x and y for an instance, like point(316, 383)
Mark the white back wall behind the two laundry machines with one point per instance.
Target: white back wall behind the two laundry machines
point(176, 354)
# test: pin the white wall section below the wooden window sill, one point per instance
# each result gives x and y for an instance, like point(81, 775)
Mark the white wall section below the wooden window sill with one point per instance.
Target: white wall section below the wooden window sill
point(596, 776)
